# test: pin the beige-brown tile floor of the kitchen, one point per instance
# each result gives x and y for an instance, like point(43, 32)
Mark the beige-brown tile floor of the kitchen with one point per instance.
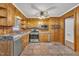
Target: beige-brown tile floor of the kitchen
point(47, 49)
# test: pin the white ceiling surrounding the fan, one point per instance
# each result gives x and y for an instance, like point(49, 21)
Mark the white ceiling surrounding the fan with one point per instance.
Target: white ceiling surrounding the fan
point(60, 8)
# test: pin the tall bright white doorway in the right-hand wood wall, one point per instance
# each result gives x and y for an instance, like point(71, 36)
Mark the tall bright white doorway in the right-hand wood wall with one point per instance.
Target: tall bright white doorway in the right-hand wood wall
point(69, 32)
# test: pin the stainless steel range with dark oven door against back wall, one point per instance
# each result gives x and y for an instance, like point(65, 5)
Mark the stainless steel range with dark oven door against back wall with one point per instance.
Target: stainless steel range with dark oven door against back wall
point(34, 36)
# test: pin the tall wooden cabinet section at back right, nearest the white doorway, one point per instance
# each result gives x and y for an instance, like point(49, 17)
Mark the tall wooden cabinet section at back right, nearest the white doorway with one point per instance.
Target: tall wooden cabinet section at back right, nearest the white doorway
point(55, 32)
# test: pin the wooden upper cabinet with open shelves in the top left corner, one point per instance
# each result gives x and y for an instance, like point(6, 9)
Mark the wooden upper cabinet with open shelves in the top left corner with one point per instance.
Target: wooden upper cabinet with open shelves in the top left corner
point(7, 14)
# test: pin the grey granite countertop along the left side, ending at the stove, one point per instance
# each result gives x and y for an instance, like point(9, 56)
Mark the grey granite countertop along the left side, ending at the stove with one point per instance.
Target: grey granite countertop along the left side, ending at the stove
point(13, 36)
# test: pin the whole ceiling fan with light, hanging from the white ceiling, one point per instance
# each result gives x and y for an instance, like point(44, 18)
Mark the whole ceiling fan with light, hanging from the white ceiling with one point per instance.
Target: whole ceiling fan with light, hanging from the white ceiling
point(42, 13)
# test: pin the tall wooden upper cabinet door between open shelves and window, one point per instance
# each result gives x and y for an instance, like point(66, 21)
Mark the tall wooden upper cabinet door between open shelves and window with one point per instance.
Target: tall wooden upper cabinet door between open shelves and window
point(11, 15)
